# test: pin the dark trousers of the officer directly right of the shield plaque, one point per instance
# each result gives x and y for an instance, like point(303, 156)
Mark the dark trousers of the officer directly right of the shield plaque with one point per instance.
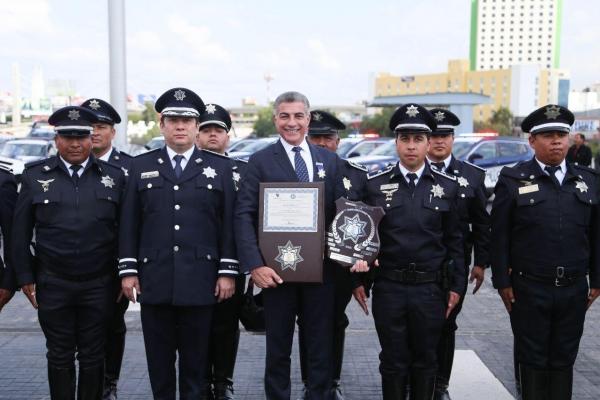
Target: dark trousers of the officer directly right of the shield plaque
point(409, 321)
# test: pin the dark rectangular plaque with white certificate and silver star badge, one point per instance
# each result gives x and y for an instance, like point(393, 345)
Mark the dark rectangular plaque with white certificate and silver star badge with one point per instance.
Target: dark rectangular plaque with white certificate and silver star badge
point(291, 229)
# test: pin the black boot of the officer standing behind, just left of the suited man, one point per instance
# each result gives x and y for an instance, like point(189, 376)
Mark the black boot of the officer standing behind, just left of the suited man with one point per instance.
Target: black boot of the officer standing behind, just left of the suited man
point(224, 363)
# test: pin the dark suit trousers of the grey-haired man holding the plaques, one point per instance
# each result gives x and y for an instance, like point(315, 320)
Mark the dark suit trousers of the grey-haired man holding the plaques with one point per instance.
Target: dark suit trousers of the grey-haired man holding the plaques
point(313, 304)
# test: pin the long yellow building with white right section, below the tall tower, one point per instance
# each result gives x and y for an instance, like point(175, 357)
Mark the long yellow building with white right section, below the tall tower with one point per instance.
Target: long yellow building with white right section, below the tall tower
point(521, 88)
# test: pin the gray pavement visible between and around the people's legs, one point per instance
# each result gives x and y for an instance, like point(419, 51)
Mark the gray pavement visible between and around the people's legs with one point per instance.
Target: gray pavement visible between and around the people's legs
point(483, 328)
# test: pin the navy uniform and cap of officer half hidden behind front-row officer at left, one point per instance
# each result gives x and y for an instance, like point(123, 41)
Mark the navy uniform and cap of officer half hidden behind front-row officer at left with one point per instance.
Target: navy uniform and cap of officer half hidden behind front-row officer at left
point(115, 339)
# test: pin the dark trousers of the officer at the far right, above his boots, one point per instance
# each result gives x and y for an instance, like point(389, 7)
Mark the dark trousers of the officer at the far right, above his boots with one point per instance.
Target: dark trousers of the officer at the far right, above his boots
point(547, 322)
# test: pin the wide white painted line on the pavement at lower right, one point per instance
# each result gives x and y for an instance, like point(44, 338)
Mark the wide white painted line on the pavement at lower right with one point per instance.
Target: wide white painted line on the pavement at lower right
point(472, 380)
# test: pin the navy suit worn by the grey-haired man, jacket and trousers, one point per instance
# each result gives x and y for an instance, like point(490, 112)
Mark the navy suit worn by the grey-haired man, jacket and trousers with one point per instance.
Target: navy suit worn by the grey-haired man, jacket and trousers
point(314, 303)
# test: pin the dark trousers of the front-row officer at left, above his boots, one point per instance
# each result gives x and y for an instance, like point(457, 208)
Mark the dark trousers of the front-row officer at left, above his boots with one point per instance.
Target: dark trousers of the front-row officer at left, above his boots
point(74, 317)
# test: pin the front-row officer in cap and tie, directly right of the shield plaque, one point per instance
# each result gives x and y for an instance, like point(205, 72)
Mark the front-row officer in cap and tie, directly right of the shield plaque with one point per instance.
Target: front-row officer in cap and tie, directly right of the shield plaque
point(415, 286)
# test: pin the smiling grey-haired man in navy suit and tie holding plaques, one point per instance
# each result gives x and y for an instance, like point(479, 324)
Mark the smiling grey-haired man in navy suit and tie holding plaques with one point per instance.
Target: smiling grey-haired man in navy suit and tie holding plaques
point(291, 159)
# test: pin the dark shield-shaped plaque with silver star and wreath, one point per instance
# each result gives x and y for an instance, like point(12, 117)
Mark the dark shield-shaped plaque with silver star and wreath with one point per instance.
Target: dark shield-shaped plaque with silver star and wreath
point(353, 233)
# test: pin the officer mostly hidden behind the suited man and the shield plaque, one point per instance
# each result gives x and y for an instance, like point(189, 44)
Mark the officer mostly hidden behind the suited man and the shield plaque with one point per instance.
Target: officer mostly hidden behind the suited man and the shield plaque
point(323, 131)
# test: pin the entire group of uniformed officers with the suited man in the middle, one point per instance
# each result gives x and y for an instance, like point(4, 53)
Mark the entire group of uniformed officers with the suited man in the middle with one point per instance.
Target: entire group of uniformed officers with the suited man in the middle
point(176, 229)
